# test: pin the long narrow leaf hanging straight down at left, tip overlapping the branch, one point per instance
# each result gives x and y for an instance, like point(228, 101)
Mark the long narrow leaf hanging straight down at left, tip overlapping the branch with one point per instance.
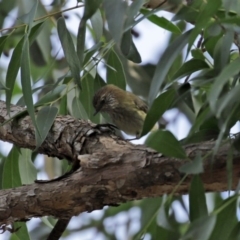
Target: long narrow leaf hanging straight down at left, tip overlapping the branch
point(26, 85)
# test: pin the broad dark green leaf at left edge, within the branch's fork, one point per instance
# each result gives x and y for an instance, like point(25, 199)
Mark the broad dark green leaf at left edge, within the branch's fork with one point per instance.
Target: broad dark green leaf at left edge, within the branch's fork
point(10, 176)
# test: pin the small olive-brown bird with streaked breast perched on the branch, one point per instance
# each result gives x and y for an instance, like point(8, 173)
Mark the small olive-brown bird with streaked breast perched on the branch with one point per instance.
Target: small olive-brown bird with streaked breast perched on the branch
point(126, 110)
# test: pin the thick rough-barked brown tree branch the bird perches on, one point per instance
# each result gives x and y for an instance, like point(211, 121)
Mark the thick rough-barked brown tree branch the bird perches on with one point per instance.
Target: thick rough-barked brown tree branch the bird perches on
point(112, 171)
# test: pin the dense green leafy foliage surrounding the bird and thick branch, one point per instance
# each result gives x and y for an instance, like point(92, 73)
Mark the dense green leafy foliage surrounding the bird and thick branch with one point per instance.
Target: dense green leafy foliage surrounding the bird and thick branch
point(45, 65)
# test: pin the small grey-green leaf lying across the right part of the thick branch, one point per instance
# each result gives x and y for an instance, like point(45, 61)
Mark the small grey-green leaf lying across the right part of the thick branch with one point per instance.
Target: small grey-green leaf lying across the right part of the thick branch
point(193, 167)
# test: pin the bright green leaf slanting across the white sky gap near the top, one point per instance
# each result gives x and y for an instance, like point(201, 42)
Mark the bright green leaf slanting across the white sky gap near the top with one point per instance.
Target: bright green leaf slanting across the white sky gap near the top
point(161, 22)
